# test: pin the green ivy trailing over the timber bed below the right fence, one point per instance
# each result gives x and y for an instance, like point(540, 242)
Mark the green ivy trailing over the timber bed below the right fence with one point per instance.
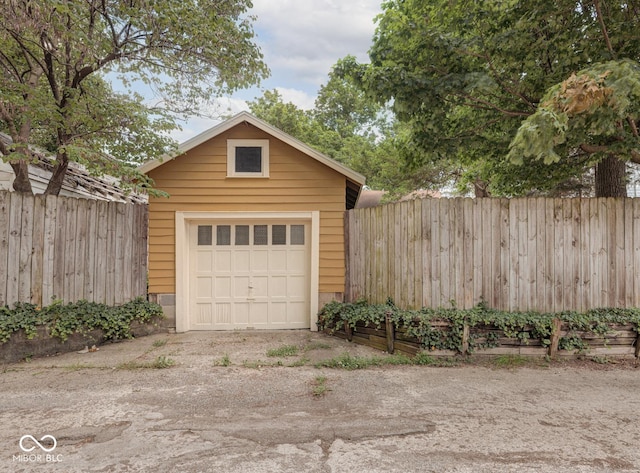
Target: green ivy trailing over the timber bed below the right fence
point(442, 328)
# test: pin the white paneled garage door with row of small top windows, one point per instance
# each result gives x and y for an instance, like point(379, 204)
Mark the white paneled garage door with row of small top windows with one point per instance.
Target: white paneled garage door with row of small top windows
point(249, 275)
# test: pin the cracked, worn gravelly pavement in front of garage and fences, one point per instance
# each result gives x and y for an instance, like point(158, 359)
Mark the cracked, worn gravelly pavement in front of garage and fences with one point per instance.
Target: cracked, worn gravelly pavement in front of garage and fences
point(227, 406)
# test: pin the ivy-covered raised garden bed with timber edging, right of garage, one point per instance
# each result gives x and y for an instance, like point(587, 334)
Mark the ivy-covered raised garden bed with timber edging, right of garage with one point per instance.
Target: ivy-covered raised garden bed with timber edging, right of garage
point(482, 331)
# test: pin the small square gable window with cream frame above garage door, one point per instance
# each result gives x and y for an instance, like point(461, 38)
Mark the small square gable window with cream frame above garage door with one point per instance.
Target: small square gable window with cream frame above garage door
point(247, 158)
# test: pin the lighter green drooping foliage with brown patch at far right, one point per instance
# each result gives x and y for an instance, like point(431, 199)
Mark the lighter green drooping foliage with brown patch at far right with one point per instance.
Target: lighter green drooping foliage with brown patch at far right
point(594, 112)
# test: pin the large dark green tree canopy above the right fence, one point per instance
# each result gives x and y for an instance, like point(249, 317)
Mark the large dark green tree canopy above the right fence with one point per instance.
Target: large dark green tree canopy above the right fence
point(465, 74)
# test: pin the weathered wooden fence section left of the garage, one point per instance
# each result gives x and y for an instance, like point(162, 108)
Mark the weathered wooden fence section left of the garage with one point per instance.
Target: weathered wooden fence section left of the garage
point(71, 249)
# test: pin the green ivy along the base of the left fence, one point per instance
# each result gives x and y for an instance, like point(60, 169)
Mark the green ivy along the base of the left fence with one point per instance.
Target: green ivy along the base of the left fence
point(63, 320)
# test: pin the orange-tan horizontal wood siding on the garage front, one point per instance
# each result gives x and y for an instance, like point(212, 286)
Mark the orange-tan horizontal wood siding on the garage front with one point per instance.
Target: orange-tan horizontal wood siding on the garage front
point(196, 181)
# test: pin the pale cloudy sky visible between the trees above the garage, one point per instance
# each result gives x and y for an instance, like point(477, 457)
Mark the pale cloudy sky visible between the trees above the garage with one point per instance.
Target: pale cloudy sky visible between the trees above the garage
point(300, 41)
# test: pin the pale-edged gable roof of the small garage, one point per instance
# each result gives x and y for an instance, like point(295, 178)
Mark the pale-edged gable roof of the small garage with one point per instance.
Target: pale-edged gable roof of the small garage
point(241, 117)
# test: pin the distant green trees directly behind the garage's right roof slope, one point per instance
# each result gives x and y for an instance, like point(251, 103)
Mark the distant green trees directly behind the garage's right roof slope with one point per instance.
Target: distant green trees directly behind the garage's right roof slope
point(351, 128)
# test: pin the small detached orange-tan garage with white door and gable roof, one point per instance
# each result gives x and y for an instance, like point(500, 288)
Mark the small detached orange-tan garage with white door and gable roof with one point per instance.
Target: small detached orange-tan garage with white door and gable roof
point(252, 234)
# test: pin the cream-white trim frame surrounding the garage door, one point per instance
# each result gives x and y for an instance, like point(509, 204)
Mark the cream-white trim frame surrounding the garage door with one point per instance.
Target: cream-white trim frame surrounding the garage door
point(183, 274)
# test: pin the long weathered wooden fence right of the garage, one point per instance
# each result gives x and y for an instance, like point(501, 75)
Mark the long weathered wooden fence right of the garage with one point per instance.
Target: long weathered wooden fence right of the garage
point(516, 254)
